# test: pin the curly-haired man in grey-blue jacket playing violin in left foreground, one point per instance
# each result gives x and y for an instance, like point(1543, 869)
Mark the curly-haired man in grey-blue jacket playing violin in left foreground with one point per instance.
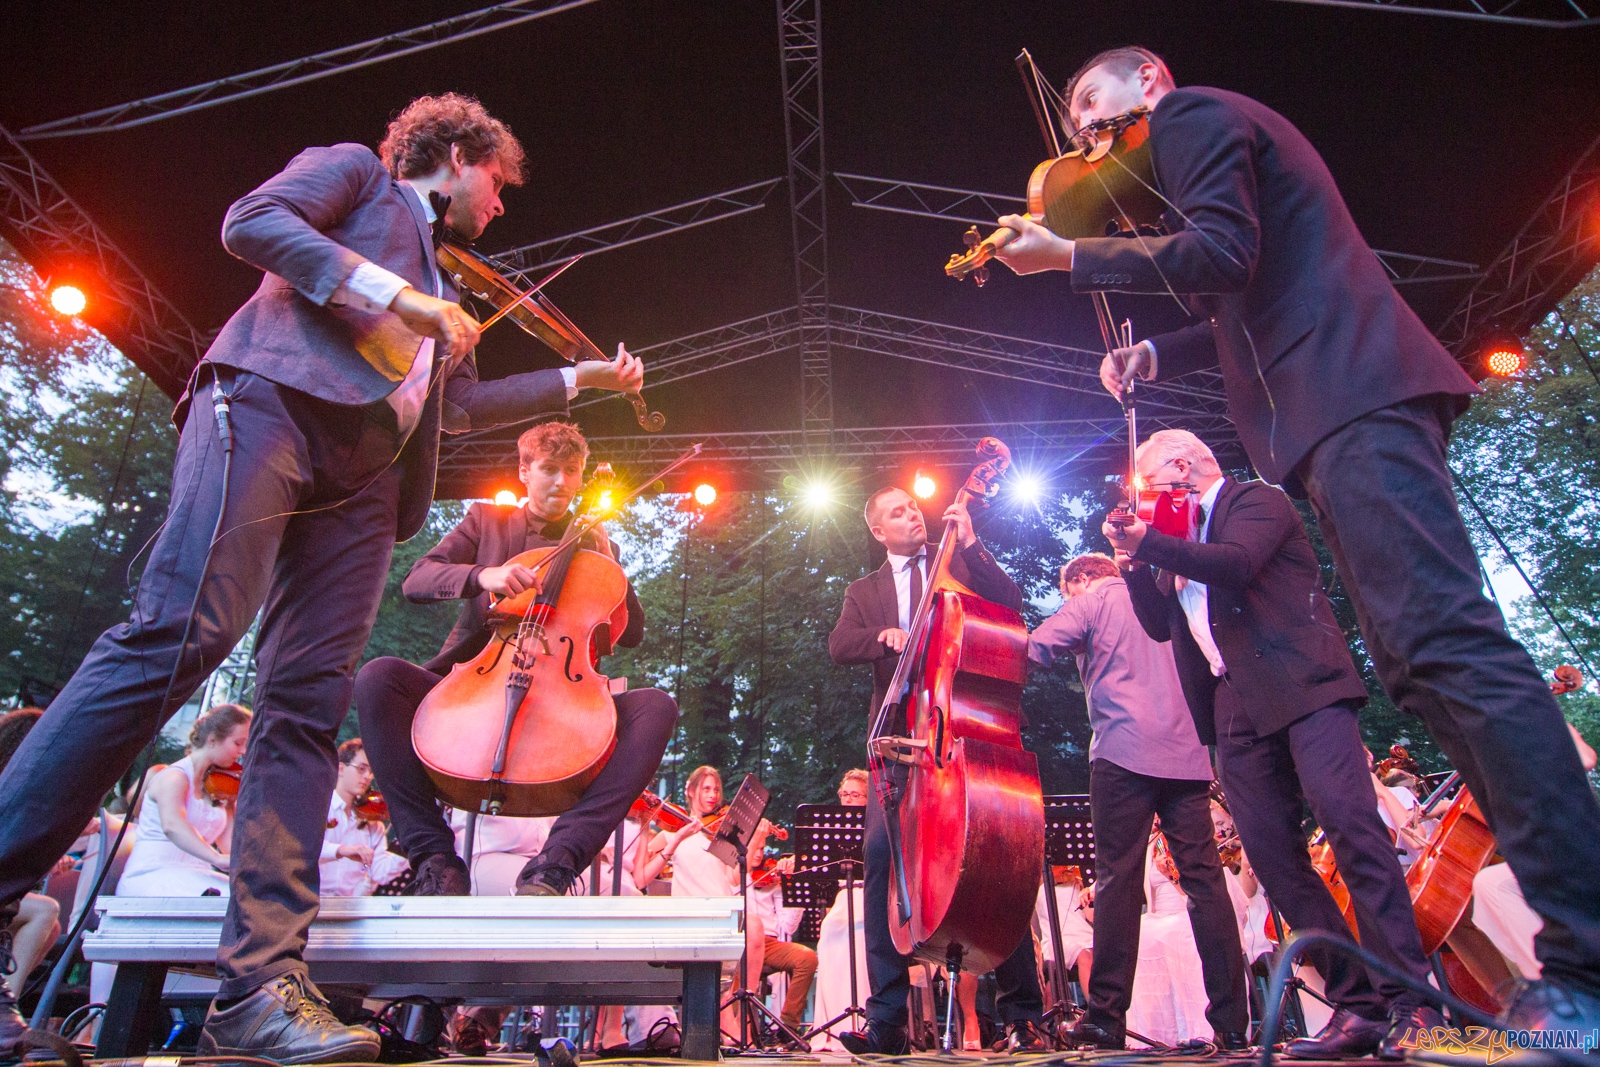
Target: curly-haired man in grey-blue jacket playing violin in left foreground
point(340, 374)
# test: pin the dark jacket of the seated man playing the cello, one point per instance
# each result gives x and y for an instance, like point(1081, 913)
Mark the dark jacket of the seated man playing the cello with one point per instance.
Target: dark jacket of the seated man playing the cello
point(489, 537)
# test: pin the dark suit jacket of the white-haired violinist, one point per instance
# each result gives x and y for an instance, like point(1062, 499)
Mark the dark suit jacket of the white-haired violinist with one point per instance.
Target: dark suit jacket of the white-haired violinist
point(1284, 650)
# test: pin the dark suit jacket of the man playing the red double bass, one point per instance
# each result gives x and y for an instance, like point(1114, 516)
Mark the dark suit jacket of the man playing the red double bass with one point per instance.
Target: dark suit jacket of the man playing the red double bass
point(871, 609)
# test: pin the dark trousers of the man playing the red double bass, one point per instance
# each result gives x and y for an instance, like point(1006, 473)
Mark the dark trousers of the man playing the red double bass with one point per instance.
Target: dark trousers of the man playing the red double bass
point(889, 972)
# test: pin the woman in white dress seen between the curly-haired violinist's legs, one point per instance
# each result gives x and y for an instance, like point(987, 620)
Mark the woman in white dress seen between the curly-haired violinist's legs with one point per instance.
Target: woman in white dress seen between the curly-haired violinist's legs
point(180, 844)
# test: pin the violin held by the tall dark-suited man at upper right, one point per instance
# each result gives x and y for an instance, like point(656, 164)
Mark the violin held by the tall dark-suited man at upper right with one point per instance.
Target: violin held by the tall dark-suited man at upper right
point(1103, 188)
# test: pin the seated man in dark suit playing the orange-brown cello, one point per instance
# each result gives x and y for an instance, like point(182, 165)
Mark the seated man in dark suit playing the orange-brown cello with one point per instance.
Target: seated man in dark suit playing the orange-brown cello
point(471, 564)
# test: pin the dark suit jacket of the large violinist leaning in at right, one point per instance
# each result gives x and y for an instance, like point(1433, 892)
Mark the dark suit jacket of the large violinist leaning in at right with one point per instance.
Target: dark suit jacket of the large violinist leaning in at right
point(1302, 318)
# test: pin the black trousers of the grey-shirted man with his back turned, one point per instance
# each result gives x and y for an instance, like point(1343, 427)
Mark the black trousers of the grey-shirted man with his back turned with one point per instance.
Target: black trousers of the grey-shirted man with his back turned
point(1122, 805)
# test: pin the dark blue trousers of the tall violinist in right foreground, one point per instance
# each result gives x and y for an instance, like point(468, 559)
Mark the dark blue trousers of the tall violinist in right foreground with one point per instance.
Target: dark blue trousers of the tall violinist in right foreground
point(1385, 502)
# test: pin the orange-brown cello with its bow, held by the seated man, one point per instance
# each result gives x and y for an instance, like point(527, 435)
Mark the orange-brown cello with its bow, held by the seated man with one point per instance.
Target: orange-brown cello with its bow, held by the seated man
point(527, 725)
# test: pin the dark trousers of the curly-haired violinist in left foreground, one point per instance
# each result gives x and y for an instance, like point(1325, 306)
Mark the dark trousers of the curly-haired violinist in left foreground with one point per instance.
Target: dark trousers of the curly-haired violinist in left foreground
point(318, 577)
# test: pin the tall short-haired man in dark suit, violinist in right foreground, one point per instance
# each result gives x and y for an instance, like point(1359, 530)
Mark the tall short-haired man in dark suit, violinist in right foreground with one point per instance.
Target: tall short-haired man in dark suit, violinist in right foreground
point(1343, 396)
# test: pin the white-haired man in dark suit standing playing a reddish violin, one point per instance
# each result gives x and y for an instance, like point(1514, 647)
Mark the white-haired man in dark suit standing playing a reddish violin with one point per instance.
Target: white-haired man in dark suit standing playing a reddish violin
point(1270, 682)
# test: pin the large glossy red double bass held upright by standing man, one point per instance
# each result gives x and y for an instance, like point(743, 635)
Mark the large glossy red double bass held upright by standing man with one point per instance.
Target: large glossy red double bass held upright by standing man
point(961, 796)
